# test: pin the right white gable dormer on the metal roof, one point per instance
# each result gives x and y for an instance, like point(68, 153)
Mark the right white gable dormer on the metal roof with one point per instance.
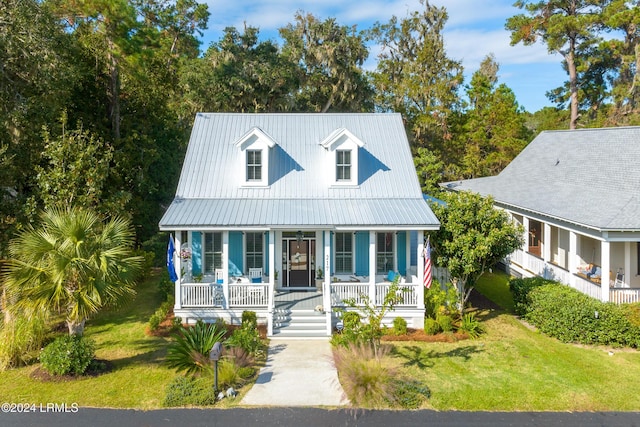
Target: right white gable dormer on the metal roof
point(342, 148)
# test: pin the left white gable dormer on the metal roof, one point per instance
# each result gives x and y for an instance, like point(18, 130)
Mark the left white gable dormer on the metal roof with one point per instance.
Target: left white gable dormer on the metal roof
point(255, 146)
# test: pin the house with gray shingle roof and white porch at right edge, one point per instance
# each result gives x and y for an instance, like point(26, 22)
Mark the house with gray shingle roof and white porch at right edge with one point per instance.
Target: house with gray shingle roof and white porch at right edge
point(577, 195)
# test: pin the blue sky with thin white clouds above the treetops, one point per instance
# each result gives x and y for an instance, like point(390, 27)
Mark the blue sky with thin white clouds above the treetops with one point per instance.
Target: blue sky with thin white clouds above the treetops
point(475, 28)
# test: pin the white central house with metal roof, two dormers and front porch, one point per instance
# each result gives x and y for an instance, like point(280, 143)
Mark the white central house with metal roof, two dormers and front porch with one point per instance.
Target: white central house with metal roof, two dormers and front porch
point(289, 214)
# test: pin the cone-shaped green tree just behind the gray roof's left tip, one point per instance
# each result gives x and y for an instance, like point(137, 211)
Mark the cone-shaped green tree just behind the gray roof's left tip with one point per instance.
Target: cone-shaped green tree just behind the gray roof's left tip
point(494, 131)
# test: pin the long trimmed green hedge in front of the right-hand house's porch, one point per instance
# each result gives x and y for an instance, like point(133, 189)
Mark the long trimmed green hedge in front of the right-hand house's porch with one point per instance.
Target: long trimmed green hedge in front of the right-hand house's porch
point(572, 316)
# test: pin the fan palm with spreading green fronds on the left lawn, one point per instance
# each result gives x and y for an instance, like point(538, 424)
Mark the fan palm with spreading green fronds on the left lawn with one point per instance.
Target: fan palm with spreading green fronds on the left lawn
point(75, 263)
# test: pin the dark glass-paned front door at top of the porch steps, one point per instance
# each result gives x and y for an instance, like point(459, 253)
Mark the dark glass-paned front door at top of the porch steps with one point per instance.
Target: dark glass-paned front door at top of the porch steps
point(298, 256)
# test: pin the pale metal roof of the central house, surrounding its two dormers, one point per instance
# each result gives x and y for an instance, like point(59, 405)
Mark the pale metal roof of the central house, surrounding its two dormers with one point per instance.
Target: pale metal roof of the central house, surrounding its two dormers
point(301, 192)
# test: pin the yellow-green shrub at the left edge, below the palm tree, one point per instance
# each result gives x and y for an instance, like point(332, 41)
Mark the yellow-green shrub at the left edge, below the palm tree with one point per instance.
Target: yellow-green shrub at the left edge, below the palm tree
point(20, 341)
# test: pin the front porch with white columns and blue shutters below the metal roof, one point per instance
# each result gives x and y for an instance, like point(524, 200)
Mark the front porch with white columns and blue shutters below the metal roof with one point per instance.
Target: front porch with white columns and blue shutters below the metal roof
point(225, 272)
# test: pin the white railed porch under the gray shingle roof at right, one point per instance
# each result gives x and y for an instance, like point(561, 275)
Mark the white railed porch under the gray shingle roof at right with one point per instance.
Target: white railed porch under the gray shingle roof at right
point(603, 265)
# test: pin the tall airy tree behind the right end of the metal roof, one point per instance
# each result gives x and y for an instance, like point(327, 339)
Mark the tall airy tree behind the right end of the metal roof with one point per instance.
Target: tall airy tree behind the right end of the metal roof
point(415, 77)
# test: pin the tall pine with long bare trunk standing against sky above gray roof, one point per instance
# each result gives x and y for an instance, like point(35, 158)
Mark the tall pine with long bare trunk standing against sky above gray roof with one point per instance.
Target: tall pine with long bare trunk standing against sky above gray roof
point(566, 27)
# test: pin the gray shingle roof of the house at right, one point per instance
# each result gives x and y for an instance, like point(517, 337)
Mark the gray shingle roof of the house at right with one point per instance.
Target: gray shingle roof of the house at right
point(589, 177)
